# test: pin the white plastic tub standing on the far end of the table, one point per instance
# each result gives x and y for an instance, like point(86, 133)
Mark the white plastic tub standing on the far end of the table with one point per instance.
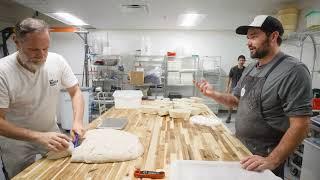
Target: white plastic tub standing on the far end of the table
point(127, 99)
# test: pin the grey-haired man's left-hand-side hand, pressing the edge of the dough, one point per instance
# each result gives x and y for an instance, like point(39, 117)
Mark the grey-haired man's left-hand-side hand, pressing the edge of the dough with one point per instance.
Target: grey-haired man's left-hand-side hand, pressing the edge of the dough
point(53, 141)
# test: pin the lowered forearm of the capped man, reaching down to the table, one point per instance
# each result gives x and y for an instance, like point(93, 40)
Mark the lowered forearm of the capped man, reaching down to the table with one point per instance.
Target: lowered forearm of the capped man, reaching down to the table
point(291, 139)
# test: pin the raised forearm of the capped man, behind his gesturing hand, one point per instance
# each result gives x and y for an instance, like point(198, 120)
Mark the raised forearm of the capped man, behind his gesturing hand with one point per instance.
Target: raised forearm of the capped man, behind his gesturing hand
point(225, 99)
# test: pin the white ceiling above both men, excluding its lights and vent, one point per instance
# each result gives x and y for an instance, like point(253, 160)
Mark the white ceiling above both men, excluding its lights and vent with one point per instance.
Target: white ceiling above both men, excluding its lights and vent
point(163, 14)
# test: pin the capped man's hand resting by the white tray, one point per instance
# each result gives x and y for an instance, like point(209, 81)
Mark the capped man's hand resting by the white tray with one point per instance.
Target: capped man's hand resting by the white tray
point(258, 163)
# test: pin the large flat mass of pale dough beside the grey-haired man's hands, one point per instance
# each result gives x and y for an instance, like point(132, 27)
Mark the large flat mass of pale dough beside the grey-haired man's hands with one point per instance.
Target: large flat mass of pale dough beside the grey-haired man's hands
point(107, 145)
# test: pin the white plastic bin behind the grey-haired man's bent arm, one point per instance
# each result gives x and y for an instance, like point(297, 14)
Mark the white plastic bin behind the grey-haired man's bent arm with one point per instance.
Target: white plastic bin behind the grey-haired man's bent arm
point(66, 112)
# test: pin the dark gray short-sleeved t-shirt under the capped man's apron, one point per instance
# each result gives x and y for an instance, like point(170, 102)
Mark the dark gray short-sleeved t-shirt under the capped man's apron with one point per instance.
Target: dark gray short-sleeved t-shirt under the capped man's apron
point(287, 91)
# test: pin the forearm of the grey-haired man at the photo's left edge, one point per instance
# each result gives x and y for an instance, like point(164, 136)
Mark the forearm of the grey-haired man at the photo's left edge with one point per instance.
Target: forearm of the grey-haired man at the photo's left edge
point(11, 131)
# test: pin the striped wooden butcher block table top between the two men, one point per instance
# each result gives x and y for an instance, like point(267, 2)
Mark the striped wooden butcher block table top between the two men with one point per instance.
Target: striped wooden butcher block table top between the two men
point(165, 140)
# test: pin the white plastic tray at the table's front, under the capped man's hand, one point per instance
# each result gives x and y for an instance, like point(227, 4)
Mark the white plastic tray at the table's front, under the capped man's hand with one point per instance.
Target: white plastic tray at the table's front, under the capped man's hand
point(219, 170)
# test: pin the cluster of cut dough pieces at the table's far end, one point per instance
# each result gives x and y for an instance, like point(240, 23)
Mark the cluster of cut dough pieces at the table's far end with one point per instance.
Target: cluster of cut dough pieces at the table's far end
point(178, 108)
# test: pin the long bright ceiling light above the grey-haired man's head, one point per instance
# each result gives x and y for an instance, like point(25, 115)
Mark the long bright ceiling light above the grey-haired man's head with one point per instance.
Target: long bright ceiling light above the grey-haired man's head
point(67, 18)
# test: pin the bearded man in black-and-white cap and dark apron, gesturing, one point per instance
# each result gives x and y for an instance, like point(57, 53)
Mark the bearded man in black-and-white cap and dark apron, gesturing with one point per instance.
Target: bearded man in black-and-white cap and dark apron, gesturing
point(273, 97)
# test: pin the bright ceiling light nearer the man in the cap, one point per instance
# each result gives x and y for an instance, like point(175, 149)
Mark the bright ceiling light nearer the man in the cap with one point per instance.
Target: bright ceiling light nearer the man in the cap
point(191, 19)
